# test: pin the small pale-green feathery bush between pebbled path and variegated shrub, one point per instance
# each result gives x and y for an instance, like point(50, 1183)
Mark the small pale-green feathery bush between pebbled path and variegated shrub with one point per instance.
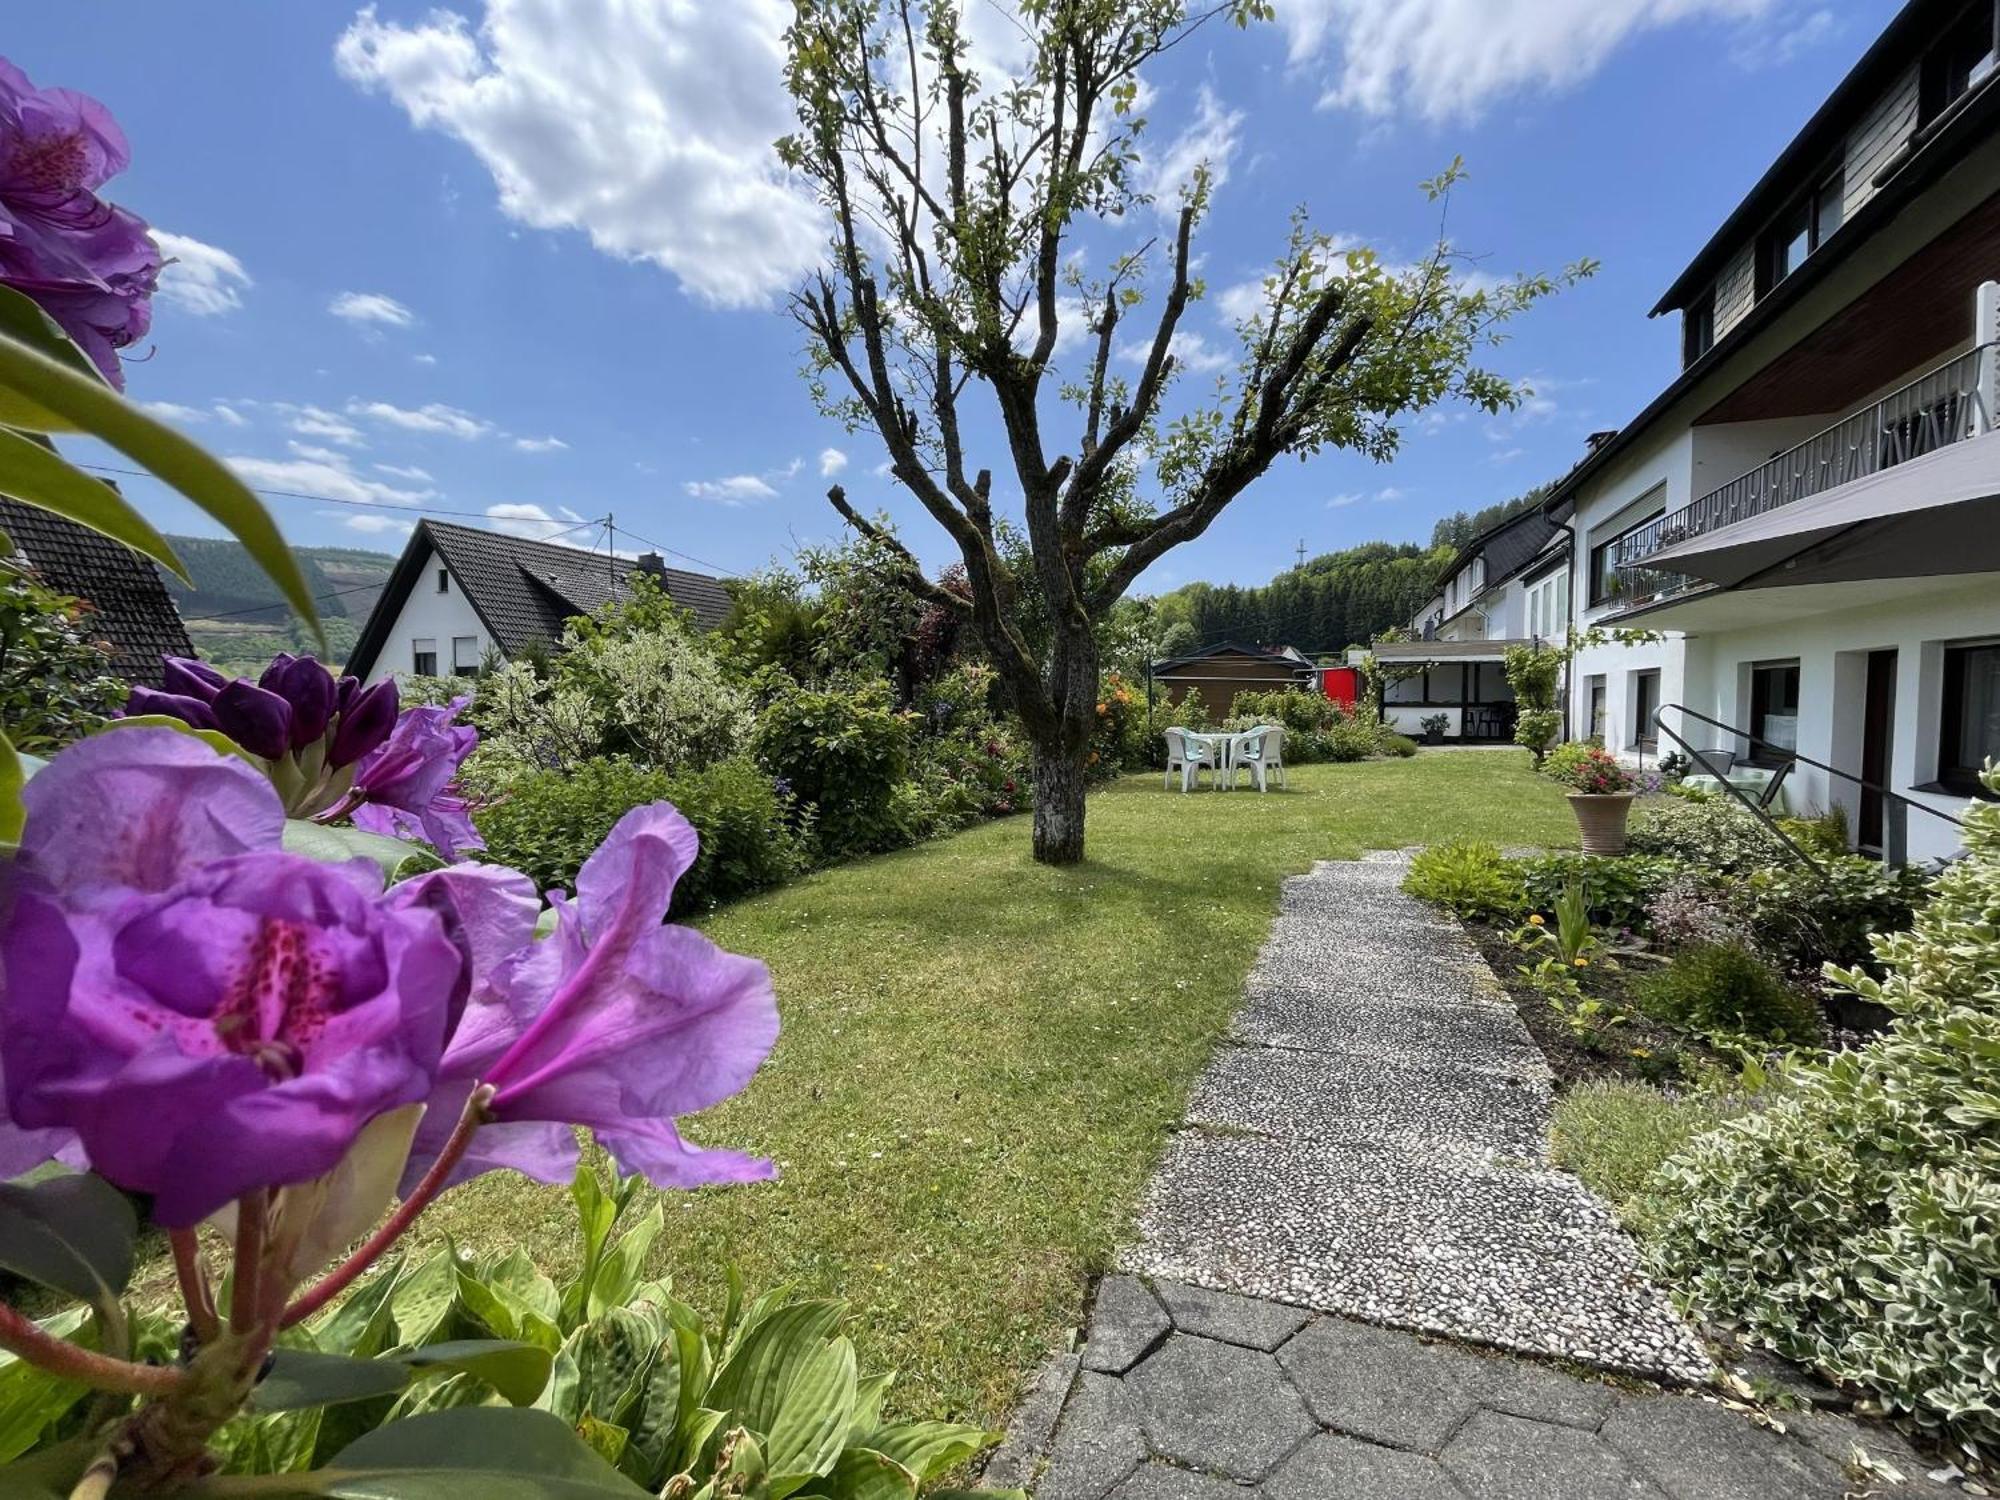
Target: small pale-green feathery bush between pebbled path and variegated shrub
point(1615, 1137)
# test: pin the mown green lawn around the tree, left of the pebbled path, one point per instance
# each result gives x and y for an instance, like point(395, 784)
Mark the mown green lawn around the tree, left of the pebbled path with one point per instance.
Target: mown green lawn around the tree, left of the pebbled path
point(981, 1057)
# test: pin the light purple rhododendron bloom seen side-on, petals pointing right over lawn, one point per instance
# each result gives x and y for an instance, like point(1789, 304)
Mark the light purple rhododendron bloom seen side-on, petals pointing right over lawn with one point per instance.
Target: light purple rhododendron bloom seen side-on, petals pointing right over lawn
point(617, 1023)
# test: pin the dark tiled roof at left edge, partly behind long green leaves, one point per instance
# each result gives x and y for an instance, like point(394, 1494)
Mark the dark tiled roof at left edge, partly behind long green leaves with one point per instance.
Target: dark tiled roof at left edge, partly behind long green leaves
point(133, 609)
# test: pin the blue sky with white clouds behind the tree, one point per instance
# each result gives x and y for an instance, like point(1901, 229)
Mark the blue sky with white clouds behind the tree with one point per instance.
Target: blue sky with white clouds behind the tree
point(527, 257)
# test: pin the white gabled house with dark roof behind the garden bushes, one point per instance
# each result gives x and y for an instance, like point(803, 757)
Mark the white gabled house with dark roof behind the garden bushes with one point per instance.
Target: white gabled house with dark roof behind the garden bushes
point(461, 593)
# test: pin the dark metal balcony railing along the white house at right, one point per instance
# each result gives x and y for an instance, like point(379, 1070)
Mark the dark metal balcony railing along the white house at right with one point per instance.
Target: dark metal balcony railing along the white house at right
point(1927, 415)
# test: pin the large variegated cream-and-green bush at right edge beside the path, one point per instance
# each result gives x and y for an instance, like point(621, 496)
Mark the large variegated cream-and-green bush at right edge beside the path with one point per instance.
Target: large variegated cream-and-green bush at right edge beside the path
point(1857, 1223)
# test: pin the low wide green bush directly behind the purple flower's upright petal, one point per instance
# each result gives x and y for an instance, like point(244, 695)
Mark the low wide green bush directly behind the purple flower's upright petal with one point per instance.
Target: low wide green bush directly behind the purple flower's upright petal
point(547, 825)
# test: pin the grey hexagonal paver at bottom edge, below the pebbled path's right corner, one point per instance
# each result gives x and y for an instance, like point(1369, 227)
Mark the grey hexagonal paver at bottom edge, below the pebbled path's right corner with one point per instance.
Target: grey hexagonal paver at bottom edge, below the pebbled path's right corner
point(1699, 1451)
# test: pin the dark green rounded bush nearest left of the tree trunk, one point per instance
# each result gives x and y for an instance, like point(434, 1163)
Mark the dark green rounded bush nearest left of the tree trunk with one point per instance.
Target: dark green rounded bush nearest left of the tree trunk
point(841, 755)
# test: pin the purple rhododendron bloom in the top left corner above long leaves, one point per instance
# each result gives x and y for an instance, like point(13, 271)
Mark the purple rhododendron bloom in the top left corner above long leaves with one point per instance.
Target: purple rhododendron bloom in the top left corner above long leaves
point(89, 265)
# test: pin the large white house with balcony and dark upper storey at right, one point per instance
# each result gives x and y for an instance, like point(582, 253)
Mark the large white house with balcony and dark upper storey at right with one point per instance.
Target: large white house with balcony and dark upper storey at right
point(1811, 509)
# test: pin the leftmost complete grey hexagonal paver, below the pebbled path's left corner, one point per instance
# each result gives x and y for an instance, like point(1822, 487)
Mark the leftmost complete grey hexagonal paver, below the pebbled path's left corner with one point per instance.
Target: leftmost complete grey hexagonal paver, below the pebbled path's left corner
point(1219, 1407)
